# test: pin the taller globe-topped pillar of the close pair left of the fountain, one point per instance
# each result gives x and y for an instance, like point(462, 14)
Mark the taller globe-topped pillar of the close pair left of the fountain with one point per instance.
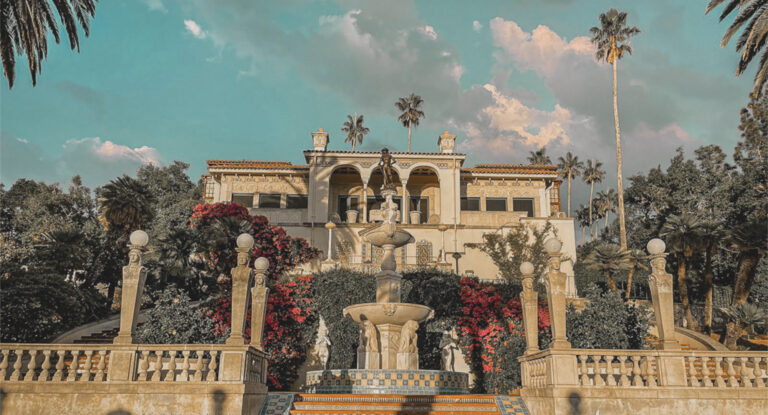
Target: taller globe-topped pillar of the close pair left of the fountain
point(241, 276)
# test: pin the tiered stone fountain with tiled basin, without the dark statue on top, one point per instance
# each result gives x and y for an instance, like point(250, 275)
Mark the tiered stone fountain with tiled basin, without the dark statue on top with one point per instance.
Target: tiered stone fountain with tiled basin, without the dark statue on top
point(388, 358)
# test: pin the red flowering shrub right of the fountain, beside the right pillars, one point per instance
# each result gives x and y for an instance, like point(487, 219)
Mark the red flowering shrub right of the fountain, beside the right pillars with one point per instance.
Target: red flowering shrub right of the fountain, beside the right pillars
point(489, 321)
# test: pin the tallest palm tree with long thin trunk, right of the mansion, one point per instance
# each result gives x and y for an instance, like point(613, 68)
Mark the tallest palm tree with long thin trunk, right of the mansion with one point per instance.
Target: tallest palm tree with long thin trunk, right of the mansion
point(610, 39)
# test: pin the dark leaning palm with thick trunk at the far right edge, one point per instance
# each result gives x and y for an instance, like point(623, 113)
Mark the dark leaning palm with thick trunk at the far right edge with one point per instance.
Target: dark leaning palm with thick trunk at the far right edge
point(750, 243)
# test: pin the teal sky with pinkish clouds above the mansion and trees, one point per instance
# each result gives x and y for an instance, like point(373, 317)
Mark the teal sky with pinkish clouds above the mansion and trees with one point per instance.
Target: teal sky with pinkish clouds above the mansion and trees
point(164, 80)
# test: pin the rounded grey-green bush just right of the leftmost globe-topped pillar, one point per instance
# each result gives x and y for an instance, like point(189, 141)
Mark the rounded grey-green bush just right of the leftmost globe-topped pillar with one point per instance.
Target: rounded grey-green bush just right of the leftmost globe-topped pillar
point(174, 320)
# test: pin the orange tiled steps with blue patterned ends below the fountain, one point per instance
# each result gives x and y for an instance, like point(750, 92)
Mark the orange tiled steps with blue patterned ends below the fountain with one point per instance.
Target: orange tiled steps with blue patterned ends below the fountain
point(331, 404)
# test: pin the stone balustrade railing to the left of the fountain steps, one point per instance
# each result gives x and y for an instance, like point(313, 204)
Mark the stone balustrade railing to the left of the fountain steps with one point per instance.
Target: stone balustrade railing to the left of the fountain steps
point(146, 363)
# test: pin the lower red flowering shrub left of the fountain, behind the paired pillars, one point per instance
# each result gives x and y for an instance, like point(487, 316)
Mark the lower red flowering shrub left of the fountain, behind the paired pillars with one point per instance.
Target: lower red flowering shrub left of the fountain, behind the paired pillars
point(289, 328)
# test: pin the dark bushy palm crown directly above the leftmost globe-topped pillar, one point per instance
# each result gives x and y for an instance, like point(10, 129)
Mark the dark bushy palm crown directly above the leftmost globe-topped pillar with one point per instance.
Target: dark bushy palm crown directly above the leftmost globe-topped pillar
point(126, 203)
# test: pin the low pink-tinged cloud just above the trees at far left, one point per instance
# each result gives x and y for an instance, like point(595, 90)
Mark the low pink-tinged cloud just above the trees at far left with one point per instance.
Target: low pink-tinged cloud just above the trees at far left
point(94, 159)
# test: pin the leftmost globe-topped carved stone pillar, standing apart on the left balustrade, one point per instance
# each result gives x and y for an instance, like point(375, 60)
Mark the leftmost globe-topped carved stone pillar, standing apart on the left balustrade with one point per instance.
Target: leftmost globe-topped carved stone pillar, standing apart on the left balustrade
point(134, 276)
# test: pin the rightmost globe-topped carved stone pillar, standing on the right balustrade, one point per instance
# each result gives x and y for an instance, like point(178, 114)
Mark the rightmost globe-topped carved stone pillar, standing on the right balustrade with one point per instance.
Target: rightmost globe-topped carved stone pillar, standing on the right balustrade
point(660, 282)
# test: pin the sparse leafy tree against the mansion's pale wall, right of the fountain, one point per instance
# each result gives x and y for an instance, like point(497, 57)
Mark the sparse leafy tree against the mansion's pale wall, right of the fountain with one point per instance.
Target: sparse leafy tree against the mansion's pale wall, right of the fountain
point(510, 247)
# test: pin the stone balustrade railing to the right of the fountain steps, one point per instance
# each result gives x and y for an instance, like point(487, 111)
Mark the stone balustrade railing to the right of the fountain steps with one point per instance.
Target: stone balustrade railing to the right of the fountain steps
point(645, 369)
